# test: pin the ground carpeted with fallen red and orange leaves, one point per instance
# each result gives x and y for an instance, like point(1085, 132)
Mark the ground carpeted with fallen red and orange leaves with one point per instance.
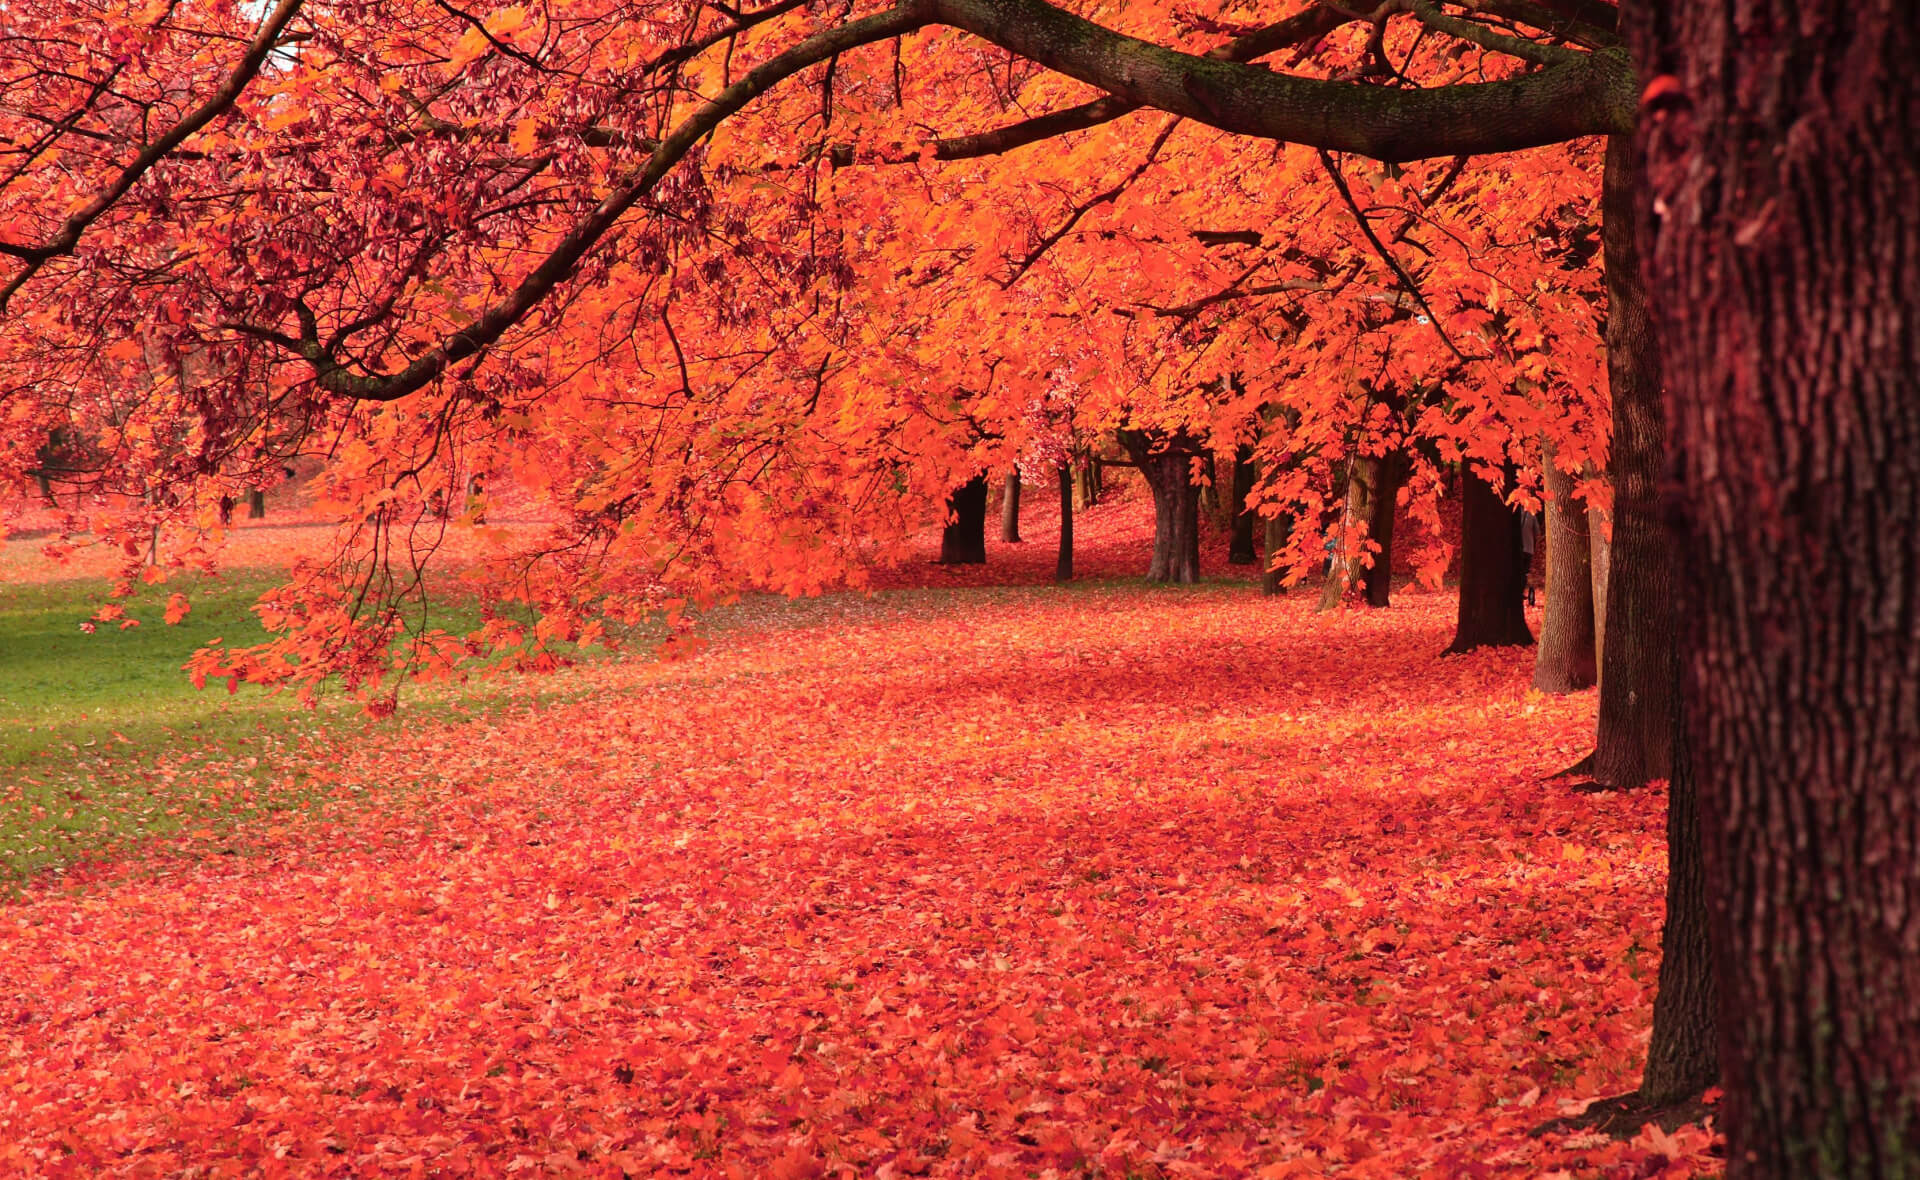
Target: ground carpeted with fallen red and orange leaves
point(1103, 882)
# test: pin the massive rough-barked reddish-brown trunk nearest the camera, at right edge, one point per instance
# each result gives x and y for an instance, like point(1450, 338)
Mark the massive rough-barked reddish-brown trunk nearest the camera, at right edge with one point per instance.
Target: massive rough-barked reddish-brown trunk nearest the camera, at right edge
point(1785, 164)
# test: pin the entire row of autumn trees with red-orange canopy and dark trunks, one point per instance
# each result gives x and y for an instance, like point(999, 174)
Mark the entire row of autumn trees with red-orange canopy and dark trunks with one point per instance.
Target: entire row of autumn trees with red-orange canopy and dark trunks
point(706, 283)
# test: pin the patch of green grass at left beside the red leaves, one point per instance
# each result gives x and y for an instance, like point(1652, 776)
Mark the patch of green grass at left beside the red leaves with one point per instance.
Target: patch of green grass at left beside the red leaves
point(105, 742)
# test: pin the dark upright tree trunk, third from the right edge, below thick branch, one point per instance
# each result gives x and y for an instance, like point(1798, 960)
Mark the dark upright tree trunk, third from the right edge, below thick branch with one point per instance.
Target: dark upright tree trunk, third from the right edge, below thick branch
point(1635, 734)
